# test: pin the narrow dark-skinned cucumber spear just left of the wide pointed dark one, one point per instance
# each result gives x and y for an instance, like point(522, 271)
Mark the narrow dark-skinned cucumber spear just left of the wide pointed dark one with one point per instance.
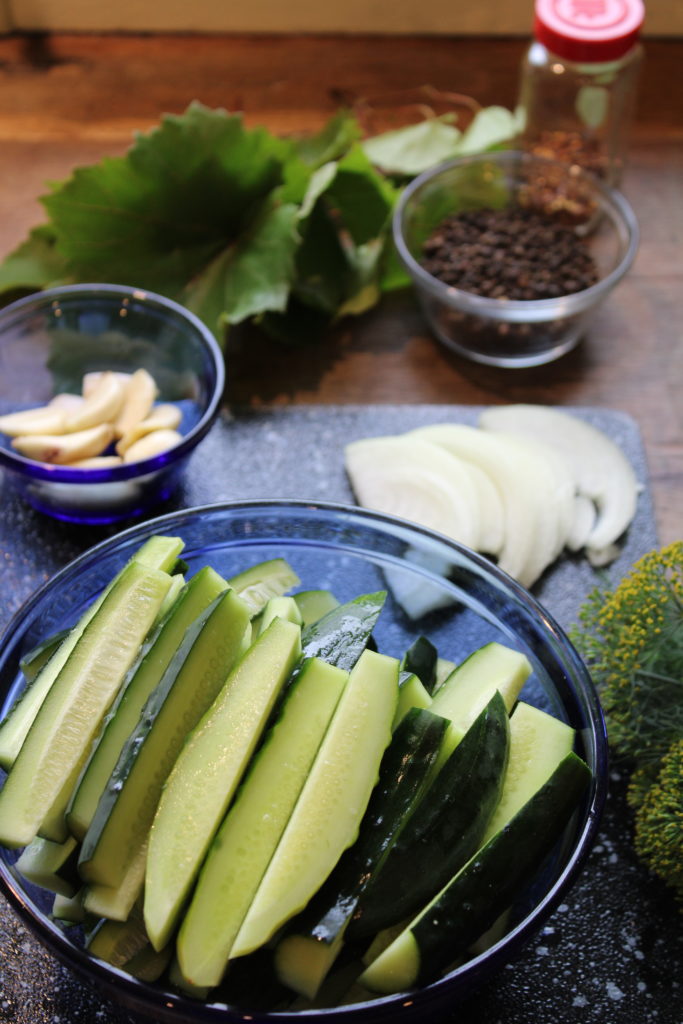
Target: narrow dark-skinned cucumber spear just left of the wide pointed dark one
point(314, 941)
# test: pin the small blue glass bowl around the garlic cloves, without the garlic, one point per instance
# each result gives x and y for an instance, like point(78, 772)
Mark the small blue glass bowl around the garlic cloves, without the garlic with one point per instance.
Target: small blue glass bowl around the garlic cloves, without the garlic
point(50, 340)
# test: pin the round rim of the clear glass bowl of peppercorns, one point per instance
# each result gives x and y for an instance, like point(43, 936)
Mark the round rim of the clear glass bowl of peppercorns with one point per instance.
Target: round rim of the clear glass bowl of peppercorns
point(615, 203)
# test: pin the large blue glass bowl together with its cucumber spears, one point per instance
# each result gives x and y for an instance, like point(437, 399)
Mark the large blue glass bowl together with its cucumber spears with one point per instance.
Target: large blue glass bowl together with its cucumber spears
point(291, 761)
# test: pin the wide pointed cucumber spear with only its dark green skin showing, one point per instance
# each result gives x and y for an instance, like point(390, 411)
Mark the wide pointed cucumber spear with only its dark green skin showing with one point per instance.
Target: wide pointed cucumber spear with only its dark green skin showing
point(446, 829)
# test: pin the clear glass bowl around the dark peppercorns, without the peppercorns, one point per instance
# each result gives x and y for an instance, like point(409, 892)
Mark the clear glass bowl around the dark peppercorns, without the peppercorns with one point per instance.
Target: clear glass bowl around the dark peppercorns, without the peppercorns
point(515, 332)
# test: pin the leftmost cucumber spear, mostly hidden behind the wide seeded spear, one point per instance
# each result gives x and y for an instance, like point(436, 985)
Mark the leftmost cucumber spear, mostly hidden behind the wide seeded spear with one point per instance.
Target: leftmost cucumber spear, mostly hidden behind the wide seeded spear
point(158, 552)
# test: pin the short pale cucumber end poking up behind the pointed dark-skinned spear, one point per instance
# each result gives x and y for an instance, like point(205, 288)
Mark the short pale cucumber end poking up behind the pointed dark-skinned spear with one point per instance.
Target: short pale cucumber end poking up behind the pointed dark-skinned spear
point(469, 688)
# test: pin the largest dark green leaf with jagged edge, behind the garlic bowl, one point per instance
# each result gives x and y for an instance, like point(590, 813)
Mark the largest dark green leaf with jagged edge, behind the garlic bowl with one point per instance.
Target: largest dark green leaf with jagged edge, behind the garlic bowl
point(157, 217)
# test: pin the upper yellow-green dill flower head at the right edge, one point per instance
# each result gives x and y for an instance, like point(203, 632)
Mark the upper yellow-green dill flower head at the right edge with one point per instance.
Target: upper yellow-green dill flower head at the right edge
point(632, 642)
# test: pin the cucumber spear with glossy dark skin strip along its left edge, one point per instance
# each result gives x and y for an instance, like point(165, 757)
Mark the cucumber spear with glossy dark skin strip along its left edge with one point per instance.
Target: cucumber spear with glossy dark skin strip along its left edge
point(209, 651)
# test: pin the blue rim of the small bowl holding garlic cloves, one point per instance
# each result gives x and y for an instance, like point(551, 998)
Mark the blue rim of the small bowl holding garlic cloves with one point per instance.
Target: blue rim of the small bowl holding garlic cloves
point(64, 475)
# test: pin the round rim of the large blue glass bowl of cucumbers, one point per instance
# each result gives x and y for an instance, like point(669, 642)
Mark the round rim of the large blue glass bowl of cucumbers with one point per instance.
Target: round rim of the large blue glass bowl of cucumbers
point(172, 1006)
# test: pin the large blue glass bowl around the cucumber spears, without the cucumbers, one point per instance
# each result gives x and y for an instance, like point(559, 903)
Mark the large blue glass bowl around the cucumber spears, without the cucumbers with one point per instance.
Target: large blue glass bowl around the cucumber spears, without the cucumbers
point(350, 551)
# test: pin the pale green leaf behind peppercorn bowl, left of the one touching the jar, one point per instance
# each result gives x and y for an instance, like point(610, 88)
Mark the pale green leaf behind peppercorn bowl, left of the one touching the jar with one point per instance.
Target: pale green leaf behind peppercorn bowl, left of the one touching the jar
point(412, 150)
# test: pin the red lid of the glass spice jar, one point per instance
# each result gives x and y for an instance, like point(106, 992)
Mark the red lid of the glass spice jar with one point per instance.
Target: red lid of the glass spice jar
point(588, 31)
